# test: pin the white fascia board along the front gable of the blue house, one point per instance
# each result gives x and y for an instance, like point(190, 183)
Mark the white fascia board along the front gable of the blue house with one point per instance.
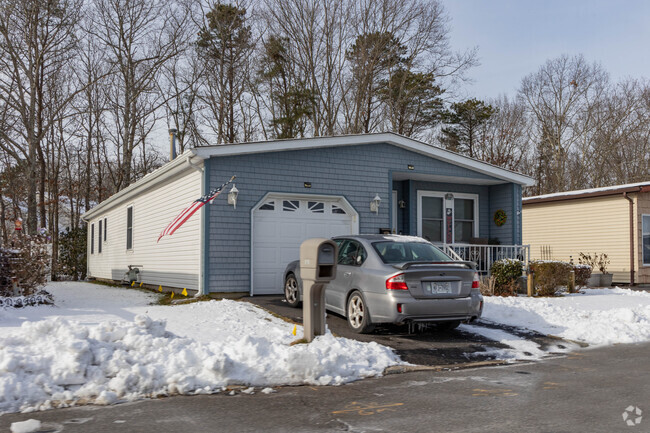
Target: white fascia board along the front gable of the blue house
point(354, 140)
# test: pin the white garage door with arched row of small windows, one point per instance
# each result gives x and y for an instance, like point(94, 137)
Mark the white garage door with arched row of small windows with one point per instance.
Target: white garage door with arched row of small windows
point(281, 223)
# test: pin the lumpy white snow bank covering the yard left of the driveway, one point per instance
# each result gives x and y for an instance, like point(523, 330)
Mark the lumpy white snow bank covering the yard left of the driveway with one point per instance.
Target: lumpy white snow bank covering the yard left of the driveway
point(103, 345)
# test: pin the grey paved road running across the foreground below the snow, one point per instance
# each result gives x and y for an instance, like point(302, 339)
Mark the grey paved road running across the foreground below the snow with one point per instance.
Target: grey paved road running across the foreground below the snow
point(585, 391)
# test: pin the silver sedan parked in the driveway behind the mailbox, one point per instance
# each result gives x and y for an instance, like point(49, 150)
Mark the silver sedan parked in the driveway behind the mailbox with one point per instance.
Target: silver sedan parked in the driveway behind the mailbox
point(395, 279)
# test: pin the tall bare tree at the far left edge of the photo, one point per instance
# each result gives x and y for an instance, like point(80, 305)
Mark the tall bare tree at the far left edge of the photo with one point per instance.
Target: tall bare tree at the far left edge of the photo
point(37, 40)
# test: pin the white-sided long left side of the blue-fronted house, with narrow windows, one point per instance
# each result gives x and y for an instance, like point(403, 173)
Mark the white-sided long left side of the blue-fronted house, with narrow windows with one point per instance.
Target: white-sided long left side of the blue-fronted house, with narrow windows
point(123, 229)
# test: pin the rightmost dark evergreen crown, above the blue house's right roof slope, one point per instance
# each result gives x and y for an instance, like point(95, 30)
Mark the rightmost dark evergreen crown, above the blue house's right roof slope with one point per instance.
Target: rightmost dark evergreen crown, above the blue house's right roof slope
point(464, 121)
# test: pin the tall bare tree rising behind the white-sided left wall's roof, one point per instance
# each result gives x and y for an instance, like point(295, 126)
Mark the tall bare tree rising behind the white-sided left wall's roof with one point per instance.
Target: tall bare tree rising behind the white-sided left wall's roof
point(140, 37)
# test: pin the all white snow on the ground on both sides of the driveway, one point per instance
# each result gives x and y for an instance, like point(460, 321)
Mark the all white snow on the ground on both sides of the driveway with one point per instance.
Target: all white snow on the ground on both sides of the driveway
point(103, 345)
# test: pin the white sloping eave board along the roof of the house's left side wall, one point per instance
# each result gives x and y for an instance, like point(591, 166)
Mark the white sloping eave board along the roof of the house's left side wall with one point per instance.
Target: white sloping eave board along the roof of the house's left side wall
point(169, 170)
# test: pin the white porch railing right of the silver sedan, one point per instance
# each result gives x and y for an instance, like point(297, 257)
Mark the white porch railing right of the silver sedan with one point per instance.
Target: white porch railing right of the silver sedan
point(485, 255)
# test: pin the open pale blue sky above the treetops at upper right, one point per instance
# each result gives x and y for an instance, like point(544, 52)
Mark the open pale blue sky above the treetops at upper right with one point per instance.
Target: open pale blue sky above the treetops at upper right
point(516, 37)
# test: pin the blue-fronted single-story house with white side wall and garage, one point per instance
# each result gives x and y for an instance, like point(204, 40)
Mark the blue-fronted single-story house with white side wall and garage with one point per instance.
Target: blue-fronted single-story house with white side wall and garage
point(291, 190)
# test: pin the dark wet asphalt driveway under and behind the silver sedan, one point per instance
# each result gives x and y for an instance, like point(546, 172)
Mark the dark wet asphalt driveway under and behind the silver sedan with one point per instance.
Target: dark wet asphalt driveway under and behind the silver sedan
point(427, 347)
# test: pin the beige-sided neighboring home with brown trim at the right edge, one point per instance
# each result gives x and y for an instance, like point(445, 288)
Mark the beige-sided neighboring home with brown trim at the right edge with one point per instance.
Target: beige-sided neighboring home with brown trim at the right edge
point(613, 220)
